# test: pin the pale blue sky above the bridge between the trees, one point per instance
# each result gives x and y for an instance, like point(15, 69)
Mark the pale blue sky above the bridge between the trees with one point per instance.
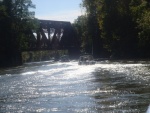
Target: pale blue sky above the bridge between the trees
point(61, 10)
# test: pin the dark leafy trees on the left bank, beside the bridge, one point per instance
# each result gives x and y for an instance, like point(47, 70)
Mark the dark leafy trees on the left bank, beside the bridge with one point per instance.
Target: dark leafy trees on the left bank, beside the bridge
point(15, 22)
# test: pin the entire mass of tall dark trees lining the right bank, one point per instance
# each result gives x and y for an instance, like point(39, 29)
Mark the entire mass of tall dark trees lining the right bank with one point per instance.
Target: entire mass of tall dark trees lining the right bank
point(115, 28)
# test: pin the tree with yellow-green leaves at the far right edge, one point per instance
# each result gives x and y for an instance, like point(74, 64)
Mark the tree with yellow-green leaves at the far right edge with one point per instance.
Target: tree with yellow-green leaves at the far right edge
point(141, 13)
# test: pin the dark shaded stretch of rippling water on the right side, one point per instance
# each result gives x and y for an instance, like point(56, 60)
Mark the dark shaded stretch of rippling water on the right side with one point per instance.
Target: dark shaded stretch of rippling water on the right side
point(123, 87)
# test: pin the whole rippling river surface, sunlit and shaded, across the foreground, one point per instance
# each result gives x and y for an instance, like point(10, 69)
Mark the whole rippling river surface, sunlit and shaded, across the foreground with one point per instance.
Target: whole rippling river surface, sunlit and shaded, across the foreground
point(46, 87)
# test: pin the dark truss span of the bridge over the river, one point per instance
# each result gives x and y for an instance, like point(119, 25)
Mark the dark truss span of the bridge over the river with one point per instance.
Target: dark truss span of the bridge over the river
point(52, 35)
